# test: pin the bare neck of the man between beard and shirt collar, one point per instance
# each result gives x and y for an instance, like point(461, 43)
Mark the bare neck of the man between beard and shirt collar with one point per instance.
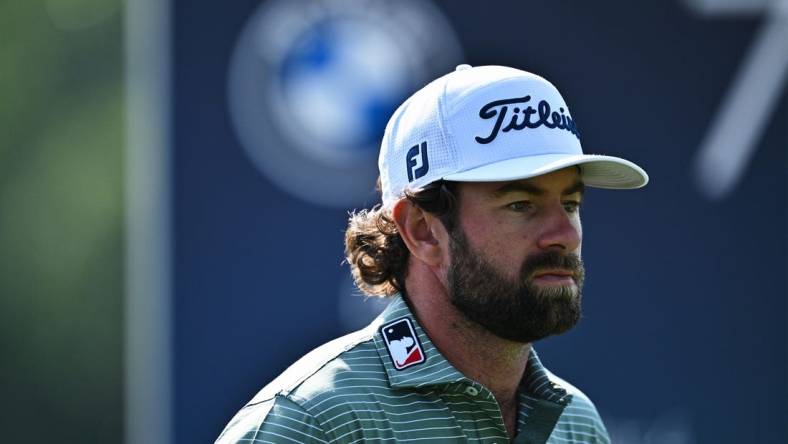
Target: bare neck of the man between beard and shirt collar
point(496, 363)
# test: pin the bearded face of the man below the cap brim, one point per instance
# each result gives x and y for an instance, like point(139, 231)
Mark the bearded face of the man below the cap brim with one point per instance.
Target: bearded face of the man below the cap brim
point(515, 265)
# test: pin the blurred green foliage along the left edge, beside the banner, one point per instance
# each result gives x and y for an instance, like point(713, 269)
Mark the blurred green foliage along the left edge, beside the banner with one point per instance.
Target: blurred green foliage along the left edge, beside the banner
point(61, 147)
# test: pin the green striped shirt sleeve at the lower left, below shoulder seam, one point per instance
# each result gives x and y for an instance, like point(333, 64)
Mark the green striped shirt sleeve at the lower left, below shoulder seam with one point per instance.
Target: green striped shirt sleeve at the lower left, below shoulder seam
point(278, 420)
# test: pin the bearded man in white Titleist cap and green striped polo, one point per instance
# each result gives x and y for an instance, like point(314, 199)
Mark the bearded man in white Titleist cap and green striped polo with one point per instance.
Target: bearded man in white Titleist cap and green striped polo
point(477, 243)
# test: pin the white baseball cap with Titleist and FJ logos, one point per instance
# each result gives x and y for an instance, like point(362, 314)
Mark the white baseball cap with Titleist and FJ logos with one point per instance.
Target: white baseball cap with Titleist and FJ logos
point(488, 124)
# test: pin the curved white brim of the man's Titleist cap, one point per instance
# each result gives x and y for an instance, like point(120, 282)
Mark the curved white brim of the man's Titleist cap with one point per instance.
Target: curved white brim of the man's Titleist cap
point(596, 170)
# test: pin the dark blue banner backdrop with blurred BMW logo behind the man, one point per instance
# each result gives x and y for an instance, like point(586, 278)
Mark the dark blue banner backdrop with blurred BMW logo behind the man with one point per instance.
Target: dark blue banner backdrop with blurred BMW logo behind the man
point(279, 106)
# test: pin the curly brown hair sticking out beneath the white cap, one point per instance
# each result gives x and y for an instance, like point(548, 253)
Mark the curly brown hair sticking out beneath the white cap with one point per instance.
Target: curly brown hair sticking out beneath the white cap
point(377, 255)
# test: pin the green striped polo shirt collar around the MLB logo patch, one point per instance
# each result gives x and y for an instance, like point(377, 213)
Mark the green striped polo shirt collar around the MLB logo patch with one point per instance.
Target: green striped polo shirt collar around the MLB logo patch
point(537, 381)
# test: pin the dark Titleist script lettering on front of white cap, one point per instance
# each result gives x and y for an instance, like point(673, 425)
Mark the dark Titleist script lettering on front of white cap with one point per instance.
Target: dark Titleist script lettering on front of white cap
point(521, 118)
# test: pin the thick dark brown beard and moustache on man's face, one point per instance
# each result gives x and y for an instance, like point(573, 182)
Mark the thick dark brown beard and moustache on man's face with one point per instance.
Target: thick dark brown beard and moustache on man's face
point(517, 310)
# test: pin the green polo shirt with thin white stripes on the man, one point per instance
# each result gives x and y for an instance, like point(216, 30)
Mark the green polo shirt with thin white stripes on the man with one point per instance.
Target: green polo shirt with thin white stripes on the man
point(350, 391)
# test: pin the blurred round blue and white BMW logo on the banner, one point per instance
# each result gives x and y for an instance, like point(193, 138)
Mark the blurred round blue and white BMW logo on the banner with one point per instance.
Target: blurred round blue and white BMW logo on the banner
point(313, 83)
